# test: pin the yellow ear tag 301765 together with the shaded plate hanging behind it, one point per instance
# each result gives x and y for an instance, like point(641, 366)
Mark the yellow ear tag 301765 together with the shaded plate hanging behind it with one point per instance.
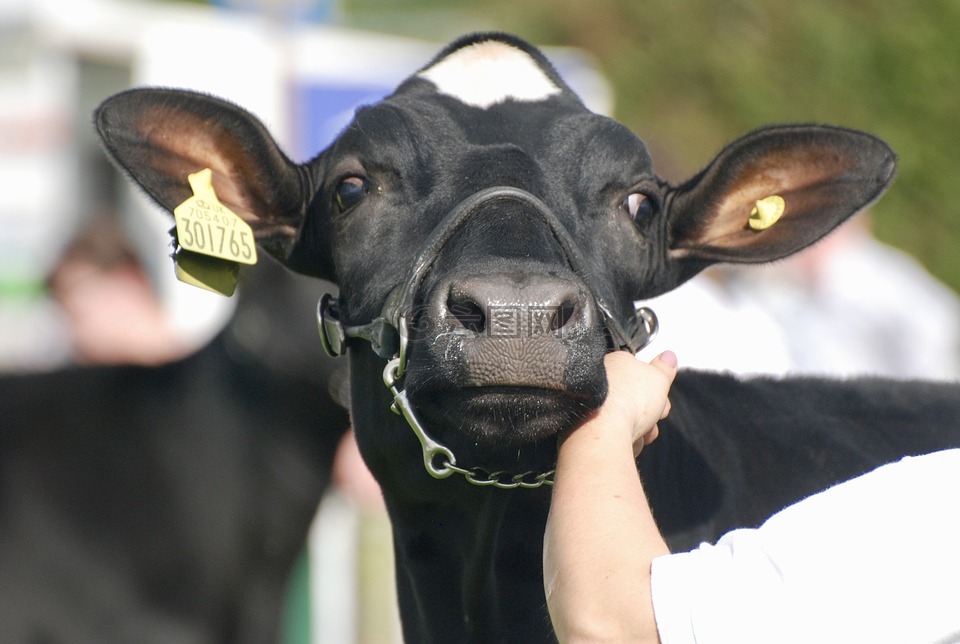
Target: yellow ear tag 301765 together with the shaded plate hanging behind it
point(211, 240)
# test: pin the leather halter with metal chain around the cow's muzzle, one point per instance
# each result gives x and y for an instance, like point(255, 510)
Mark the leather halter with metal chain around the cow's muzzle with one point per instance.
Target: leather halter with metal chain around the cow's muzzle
point(388, 333)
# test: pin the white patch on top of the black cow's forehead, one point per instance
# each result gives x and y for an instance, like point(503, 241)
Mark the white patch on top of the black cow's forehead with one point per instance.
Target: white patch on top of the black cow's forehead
point(490, 72)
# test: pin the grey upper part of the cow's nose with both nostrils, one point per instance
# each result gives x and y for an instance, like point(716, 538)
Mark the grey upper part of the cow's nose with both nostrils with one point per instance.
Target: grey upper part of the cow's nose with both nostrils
point(514, 305)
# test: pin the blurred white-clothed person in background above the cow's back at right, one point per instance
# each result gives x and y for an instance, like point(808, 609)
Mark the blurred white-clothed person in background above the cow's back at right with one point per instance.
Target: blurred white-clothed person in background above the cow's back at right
point(849, 305)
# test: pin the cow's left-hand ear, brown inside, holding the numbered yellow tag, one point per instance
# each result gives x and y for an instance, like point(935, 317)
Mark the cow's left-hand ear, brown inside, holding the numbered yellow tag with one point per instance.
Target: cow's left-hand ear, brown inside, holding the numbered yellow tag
point(160, 136)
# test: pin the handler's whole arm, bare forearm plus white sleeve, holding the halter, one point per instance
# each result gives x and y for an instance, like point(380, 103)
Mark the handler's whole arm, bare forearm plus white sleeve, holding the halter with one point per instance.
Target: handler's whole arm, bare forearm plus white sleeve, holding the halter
point(822, 569)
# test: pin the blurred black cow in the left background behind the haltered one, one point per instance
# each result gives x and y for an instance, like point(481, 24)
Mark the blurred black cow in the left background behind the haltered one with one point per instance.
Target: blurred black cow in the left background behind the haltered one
point(167, 504)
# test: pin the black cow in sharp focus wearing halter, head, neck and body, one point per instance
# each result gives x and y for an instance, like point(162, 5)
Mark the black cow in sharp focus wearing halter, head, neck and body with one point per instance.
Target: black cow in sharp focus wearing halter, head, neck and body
point(490, 237)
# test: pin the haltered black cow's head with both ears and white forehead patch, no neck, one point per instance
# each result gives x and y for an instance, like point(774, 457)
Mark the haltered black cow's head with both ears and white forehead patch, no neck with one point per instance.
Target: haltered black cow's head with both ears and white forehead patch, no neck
point(502, 227)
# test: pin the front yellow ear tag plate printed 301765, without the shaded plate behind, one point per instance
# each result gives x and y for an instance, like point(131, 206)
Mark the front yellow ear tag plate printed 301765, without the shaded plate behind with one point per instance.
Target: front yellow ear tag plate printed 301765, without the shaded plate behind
point(206, 226)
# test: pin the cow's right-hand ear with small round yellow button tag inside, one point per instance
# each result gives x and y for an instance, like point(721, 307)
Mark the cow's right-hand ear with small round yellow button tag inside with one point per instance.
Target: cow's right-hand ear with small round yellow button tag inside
point(807, 179)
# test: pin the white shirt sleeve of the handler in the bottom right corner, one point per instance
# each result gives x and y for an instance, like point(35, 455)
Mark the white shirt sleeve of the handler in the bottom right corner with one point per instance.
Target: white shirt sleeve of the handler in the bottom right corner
point(874, 559)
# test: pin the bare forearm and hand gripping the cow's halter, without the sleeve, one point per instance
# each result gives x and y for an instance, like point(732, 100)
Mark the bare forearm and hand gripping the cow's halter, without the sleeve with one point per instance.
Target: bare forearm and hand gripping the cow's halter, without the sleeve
point(601, 536)
